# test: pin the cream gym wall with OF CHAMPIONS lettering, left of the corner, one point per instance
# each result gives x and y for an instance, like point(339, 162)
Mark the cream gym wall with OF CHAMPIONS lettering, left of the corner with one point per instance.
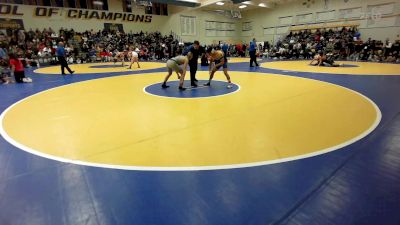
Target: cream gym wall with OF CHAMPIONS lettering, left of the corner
point(187, 23)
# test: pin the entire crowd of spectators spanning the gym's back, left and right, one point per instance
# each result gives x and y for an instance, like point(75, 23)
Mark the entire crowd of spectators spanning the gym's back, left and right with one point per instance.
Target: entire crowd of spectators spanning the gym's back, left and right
point(37, 46)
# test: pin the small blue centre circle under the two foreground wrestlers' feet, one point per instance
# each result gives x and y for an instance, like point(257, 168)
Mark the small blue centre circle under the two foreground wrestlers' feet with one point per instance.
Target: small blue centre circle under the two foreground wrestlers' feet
point(217, 88)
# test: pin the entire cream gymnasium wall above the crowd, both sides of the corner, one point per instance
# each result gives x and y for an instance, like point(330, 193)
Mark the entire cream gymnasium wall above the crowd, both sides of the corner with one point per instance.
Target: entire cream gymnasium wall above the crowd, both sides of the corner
point(378, 19)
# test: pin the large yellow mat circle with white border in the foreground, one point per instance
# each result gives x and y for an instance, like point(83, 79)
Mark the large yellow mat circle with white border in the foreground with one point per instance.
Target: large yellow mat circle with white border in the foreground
point(112, 122)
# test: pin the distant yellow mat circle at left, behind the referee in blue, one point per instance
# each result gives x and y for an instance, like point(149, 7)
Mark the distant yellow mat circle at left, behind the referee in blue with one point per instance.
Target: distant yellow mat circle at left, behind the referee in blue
point(101, 67)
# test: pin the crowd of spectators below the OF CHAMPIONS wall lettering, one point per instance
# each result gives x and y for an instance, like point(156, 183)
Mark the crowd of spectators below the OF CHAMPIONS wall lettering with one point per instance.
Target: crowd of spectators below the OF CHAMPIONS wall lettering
point(39, 46)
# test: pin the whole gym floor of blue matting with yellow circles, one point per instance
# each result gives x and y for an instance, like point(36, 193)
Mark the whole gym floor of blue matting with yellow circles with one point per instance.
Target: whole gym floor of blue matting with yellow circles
point(289, 143)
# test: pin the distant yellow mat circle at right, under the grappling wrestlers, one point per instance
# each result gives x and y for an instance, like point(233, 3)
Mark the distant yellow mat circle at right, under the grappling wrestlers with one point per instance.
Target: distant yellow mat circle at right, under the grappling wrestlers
point(360, 68)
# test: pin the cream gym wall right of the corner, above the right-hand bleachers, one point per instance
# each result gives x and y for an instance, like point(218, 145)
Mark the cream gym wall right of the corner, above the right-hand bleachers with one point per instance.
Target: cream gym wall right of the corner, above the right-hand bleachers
point(378, 19)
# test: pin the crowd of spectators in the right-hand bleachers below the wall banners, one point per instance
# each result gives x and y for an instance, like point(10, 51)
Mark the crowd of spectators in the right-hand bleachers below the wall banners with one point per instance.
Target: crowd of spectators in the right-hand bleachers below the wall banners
point(344, 43)
